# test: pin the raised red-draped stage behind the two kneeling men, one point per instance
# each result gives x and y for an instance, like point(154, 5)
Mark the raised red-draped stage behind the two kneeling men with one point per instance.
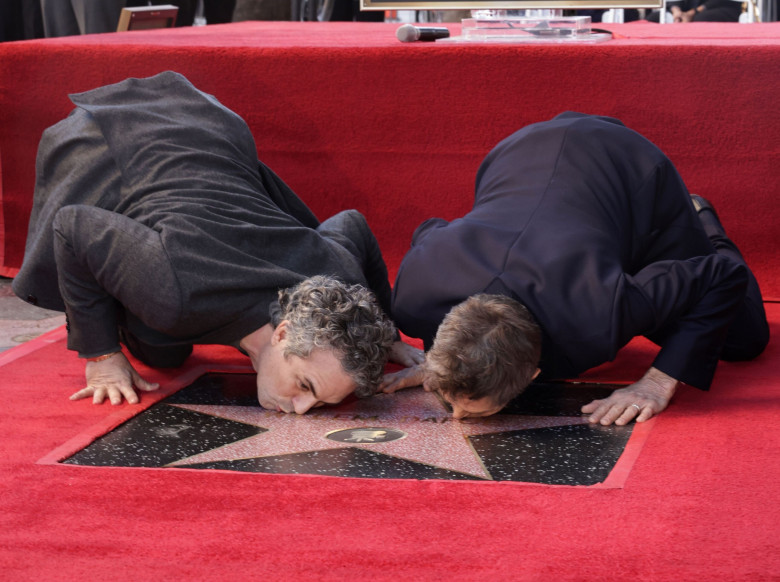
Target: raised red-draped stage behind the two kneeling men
point(350, 117)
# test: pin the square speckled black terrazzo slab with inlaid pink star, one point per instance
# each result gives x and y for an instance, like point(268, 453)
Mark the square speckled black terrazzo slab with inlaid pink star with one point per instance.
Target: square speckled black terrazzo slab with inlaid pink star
point(215, 423)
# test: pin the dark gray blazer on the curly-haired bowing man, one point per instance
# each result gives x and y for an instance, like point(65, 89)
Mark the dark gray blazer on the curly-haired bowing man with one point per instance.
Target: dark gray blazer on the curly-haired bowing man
point(153, 213)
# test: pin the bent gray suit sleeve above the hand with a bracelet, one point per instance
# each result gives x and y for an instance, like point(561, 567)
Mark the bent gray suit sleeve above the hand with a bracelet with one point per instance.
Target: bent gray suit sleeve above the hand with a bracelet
point(107, 263)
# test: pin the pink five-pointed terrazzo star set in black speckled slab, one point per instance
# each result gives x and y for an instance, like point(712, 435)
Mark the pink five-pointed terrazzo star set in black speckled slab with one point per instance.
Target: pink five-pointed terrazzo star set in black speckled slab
point(432, 436)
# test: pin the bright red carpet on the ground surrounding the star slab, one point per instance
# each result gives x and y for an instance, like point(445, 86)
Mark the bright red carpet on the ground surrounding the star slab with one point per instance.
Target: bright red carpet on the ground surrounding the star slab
point(700, 503)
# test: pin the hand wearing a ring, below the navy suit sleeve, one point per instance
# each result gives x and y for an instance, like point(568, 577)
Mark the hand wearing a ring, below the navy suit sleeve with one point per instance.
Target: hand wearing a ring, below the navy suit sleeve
point(640, 401)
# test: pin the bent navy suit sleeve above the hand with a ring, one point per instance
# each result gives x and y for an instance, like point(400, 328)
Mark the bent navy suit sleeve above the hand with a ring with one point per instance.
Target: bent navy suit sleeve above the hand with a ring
point(687, 307)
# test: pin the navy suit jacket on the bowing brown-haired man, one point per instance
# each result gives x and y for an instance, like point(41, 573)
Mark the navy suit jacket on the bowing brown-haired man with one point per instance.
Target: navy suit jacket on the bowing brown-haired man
point(589, 225)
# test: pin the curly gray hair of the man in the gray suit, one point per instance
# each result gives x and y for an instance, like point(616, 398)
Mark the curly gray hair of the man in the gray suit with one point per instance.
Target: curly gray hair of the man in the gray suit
point(324, 313)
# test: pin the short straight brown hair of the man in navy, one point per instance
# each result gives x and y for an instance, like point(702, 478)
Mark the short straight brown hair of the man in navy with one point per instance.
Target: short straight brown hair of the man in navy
point(487, 347)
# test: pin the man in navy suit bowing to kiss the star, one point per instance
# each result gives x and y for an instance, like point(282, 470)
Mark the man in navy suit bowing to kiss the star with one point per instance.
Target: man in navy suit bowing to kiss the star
point(584, 228)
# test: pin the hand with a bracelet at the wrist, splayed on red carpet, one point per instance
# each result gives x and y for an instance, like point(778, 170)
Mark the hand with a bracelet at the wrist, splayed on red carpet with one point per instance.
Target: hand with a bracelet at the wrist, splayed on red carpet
point(113, 378)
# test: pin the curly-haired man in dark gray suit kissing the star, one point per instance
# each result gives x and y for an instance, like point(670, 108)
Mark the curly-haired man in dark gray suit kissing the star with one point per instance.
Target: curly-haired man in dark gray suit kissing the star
point(155, 225)
